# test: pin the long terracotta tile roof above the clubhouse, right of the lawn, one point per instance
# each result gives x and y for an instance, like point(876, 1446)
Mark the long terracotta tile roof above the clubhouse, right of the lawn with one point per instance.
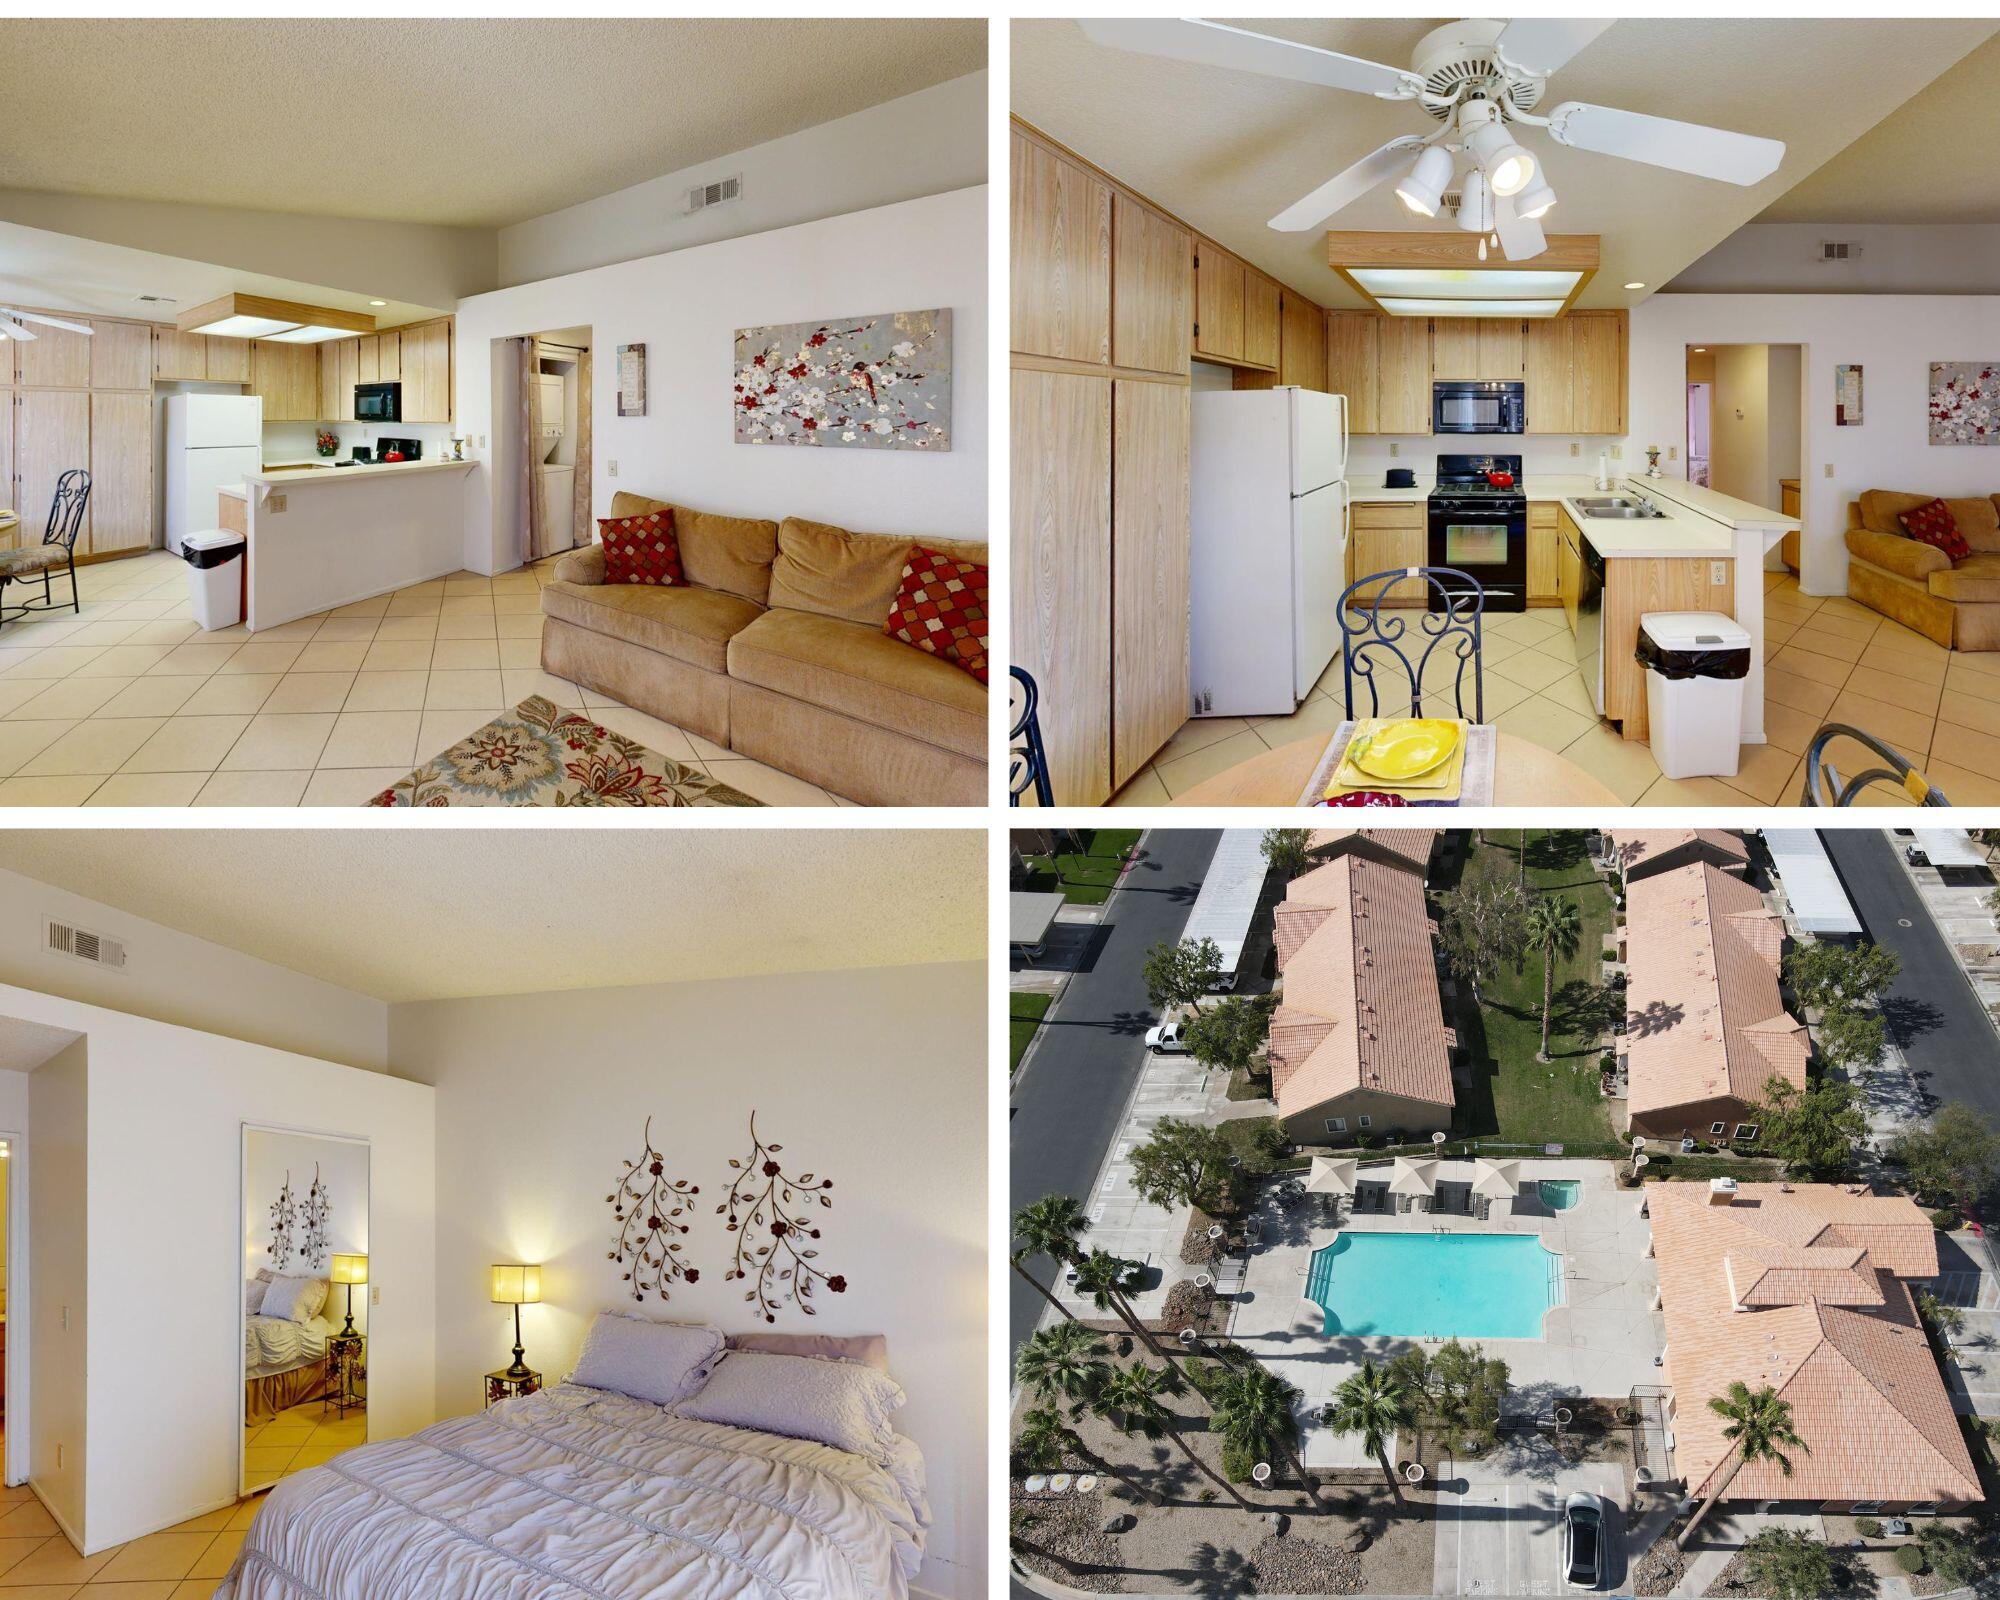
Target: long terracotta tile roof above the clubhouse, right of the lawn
point(1705, 1019)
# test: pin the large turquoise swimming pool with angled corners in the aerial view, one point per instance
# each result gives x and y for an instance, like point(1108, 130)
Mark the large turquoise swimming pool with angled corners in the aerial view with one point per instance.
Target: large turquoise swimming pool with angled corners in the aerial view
point(1435, 1285)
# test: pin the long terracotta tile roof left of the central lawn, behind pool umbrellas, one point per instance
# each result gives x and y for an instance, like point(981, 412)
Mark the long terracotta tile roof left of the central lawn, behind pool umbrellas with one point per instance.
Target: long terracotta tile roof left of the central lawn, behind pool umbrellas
point(1361, 991)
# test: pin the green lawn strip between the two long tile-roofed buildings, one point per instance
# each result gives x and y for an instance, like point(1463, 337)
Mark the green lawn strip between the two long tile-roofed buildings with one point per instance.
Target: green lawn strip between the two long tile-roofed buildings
point(1515, 1097)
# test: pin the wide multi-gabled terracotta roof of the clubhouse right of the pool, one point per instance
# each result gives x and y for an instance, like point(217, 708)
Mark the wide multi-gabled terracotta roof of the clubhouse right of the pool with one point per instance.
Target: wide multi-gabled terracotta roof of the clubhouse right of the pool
point(1803, 1289)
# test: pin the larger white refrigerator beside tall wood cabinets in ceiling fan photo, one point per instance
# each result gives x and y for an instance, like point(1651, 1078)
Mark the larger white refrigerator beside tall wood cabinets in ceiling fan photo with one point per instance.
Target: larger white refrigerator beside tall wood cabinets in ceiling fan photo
point(1269, 531)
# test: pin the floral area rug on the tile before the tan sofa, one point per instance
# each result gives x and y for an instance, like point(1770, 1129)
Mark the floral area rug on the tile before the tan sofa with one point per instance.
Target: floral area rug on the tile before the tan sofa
point(541, 755)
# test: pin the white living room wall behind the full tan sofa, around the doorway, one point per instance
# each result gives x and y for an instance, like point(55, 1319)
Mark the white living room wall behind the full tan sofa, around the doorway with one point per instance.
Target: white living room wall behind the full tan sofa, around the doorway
point(685, 309)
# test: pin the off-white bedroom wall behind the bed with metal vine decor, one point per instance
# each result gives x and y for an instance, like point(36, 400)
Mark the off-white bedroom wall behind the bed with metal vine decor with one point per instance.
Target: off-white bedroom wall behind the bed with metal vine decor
point(543, 1099)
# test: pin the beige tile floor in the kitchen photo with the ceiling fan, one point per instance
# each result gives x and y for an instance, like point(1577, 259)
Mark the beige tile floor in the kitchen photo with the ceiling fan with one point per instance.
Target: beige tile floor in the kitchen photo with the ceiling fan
point(1831, 659)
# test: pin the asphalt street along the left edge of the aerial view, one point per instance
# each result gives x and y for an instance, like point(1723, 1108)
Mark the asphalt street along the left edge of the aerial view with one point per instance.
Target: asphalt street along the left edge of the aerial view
point(1089, 1053)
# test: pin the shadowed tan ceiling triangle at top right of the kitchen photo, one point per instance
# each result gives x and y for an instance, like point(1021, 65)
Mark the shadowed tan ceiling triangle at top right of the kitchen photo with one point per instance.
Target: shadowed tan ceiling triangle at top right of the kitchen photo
point(1931, 161)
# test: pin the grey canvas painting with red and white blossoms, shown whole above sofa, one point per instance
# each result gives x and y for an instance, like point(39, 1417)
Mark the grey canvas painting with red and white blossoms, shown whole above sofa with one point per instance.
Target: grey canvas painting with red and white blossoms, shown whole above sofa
point(859, 383)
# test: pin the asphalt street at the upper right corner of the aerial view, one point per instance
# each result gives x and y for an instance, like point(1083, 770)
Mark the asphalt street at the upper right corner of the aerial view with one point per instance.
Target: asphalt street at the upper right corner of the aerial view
point(1931, 1011)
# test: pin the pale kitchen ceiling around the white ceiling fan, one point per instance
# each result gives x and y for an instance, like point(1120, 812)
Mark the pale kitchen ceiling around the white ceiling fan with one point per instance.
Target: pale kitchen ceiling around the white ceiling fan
point(1229, 151)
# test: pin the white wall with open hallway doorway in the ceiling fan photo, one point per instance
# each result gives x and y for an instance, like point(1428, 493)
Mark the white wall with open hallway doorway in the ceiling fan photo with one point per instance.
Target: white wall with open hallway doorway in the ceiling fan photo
point(1893, 337)
